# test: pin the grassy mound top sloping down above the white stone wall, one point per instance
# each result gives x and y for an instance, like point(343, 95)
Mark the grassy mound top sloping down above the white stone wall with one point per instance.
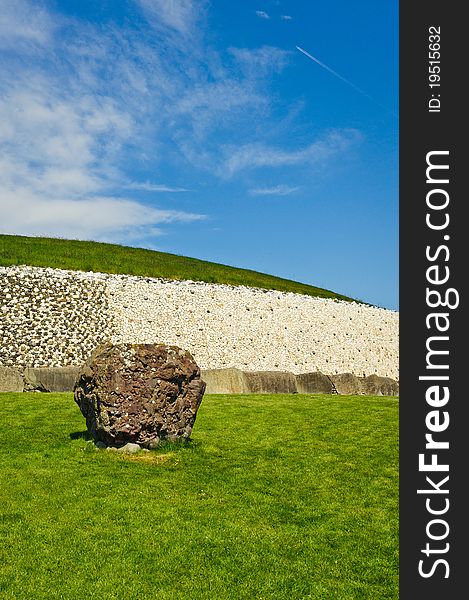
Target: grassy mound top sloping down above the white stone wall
point(109, 258)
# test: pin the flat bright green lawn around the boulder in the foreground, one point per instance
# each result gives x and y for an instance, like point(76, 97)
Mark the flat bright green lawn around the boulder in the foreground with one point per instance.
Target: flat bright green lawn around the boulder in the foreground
point(276, 497)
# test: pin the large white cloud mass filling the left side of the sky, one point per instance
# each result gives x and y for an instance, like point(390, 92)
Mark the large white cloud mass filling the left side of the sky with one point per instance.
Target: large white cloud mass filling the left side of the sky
point(63, 134)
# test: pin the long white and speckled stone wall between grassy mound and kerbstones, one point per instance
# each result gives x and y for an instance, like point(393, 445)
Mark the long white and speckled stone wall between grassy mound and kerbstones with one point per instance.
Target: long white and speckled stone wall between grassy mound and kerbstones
point(54, 318)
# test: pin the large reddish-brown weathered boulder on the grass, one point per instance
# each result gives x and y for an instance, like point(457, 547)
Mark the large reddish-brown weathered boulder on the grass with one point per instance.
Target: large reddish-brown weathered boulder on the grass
point(139, 393)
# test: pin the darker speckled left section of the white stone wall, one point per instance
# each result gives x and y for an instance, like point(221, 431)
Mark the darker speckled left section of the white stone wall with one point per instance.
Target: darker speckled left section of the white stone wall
point(51, 318)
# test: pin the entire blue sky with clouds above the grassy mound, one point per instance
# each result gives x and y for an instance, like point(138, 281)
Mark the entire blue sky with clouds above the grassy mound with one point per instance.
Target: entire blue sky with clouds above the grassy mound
point(198, 128)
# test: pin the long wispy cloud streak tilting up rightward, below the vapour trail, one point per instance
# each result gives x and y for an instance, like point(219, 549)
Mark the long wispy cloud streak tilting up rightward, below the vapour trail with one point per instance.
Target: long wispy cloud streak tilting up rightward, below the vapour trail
point(257, 155)
